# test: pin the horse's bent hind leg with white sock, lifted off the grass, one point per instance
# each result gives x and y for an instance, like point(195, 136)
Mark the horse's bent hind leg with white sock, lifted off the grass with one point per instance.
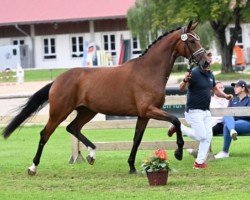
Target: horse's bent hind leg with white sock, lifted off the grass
point(84, 115)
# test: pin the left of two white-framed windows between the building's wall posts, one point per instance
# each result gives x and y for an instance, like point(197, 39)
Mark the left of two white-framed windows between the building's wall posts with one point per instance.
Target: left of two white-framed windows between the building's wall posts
point(49, 48)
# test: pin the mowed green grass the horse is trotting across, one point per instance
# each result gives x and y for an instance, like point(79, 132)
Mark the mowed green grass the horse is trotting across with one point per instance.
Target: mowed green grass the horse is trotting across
point(108, 178)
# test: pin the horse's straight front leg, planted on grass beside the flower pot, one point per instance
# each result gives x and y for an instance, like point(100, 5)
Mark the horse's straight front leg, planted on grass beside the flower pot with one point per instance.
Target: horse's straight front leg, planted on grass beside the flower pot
point(139, 131)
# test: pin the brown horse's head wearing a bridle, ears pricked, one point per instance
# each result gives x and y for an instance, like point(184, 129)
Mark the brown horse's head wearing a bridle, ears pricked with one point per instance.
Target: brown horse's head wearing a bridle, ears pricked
point(190, 47)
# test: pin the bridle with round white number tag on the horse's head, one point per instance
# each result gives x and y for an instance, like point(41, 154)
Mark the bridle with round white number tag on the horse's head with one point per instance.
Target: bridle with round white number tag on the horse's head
point(194, 56)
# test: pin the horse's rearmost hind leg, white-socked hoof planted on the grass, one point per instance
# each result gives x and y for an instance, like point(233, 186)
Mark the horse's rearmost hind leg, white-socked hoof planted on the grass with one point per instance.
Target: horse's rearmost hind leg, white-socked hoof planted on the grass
point(44, 137)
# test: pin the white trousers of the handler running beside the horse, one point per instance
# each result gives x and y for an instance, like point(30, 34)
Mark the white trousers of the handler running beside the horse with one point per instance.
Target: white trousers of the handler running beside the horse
point(201, 130)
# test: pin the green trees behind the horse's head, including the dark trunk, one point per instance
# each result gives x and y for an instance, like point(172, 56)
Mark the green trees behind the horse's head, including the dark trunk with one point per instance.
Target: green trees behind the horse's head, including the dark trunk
point(215, 15)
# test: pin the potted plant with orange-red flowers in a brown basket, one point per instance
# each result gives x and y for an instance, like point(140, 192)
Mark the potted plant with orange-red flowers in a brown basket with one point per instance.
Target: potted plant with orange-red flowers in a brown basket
point(157, 168)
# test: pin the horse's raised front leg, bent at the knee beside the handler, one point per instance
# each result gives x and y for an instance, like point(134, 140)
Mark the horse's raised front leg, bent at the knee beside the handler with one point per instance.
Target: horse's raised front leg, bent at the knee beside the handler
point(159, 114)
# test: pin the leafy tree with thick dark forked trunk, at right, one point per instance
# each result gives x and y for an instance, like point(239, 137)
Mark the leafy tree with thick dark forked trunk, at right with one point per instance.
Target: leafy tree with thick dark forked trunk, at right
point(219, 14)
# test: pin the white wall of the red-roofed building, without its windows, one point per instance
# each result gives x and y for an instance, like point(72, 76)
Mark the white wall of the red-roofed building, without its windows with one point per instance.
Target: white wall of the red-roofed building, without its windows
point(63, 48)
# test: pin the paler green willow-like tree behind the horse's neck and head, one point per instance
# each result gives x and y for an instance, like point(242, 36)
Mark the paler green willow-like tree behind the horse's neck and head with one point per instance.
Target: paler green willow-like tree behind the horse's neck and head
point(149, 18)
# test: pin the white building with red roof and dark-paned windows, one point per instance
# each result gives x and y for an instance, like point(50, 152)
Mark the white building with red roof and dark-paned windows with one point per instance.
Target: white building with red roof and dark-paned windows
point(57, 32)
